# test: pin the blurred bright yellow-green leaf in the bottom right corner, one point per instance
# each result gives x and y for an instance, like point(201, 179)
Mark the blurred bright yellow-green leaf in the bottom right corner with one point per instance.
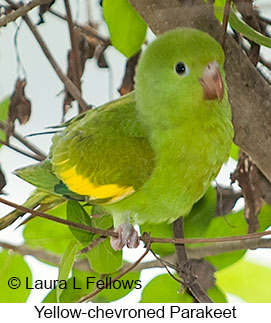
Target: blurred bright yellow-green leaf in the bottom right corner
point(247, 280)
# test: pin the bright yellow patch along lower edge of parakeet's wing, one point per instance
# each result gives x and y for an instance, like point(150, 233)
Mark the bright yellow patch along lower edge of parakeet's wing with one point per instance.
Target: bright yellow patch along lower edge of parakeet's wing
point(81, 185)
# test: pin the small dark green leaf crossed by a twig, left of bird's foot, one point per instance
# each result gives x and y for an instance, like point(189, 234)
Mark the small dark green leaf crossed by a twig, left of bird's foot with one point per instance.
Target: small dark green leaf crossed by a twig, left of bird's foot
point(76, 213)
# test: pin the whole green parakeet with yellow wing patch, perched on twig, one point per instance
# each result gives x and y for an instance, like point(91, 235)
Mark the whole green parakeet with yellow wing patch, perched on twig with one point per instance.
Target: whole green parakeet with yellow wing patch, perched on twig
point(150, 155)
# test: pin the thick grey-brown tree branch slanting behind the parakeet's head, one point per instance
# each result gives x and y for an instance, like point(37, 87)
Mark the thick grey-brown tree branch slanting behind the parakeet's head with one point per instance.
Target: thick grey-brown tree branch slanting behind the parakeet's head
point(249, 93)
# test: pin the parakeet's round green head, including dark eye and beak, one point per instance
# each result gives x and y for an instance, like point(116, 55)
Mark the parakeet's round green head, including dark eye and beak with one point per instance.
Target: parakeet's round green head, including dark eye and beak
point(180, 76)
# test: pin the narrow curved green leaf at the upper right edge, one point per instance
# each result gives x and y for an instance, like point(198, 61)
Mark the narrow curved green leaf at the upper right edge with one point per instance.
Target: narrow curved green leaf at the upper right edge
point(243, 28)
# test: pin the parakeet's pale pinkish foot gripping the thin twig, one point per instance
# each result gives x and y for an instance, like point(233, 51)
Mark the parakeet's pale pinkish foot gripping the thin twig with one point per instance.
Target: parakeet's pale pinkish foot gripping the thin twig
point(127, 236)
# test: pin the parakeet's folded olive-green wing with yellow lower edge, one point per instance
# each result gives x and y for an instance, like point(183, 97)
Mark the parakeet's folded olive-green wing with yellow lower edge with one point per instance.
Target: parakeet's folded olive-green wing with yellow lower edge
point(104, 155)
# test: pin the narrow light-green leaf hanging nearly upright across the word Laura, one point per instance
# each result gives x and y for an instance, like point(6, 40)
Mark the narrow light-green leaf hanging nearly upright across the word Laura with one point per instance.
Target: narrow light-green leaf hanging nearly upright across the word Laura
point(65, 265)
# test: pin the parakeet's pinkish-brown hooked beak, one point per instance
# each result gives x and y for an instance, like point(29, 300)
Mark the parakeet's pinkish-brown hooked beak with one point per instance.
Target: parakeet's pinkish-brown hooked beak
point(212, 83)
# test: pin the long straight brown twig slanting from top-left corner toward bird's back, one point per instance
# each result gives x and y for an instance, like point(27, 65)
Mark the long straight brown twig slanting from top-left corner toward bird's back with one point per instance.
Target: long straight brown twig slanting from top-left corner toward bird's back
point(74, 91)
